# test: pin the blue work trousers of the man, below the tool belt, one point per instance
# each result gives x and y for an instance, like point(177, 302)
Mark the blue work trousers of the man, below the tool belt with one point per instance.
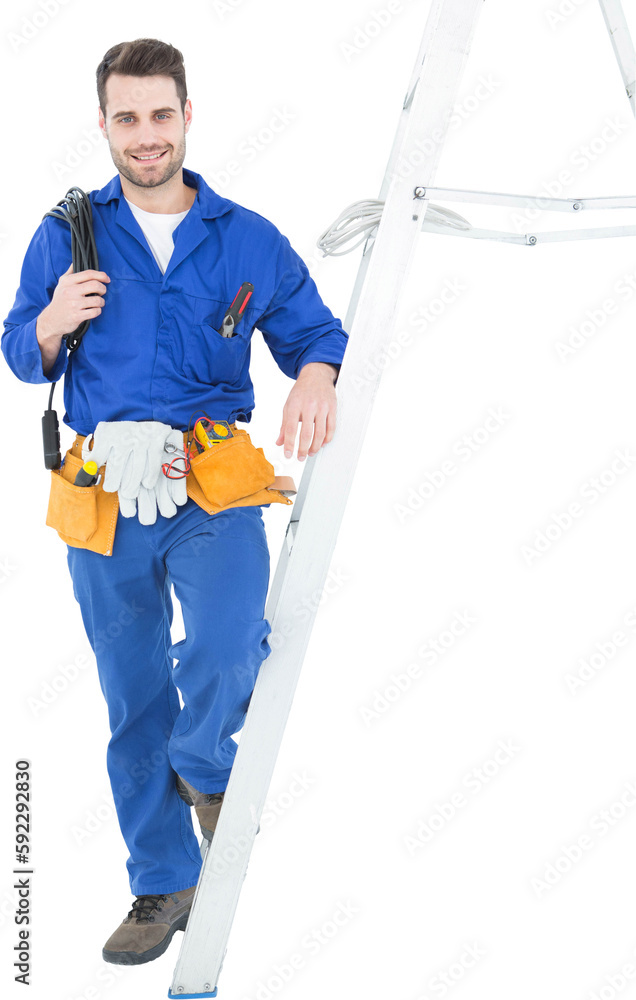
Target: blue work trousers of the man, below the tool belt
point(219, 567)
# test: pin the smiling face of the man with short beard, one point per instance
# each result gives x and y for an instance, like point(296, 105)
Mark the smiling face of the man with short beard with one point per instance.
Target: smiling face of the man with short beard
point(145, 127)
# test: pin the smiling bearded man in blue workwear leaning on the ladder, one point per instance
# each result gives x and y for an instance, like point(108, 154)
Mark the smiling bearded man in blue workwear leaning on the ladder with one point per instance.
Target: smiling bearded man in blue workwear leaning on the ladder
point(172, 255)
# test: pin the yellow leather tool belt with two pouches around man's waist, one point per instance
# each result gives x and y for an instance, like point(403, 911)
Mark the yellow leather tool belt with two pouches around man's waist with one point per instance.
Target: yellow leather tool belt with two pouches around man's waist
point(233, 473)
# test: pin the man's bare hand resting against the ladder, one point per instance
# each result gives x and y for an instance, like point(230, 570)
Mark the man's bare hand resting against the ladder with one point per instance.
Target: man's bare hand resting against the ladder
point(312, 401)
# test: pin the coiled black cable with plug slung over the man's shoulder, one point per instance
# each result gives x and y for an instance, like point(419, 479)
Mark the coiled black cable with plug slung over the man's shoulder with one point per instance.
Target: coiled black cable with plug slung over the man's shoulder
point(74, 208)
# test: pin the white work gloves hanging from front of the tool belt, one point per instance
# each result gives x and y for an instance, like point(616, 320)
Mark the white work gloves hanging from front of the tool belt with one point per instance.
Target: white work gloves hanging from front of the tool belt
point(133, 452)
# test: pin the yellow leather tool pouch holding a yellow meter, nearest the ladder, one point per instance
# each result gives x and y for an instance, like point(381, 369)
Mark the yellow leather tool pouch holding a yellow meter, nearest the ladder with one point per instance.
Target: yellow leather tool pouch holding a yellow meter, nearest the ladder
point(234, 470)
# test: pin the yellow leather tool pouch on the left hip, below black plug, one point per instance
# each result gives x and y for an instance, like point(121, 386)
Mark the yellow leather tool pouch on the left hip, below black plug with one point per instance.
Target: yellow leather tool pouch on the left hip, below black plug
point(83, 516)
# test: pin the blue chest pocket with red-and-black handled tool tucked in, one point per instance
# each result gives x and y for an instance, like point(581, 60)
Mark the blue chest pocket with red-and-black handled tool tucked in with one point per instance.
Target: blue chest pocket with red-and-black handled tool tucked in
point(202, 354)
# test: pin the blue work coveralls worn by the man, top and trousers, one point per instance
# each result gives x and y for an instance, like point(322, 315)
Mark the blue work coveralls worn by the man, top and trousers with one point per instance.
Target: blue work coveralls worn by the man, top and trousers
point(154, 353)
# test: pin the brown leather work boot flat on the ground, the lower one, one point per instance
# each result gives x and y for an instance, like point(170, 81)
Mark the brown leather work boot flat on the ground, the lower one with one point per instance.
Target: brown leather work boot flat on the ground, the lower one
point(149, 927)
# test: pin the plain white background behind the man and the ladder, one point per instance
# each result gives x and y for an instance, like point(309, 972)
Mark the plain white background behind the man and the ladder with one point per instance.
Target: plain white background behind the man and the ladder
point(477, 878)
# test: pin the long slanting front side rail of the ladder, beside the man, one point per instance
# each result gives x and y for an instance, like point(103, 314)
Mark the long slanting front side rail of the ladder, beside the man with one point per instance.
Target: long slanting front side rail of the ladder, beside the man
point(308, 562)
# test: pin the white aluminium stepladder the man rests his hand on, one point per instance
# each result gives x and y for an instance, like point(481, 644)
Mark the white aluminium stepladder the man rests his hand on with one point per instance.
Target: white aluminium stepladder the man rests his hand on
point(319, 507)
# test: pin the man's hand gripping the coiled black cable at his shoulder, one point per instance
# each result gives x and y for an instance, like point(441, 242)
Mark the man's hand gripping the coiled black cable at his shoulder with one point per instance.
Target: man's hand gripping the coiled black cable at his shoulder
point(73, 302)
